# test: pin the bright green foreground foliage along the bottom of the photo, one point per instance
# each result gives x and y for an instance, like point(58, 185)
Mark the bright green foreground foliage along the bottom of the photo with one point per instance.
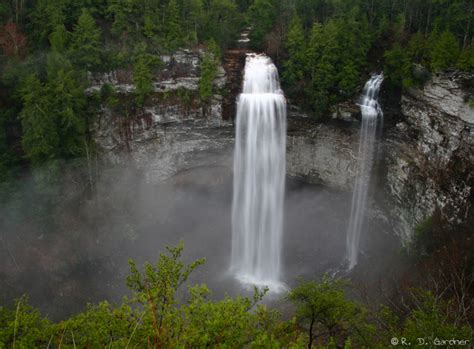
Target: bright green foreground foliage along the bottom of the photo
point(156, 317)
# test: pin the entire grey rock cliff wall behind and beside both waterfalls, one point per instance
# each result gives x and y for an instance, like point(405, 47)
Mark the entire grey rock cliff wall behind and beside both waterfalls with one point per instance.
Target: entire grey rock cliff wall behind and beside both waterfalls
point(428, 157)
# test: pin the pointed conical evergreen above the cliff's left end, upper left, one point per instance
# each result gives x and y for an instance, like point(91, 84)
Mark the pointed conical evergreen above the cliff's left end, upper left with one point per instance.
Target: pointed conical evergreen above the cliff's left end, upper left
point(85, 48)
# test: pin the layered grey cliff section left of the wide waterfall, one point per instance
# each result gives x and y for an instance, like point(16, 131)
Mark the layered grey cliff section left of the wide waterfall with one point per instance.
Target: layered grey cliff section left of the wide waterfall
point(174, 131)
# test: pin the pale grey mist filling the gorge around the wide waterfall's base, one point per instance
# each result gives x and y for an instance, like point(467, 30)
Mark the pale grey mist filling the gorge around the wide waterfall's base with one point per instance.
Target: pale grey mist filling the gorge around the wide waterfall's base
point(66, 240)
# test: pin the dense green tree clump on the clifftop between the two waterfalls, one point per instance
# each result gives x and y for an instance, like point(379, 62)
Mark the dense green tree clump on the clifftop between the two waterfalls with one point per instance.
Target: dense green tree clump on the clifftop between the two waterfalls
point(331, 65)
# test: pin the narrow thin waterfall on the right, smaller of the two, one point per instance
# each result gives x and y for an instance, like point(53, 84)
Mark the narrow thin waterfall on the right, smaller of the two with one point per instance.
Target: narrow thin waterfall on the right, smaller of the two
point(370, 111)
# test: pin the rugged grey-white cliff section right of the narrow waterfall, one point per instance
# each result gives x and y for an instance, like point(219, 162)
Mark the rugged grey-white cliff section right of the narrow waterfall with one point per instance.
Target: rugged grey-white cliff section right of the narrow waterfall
point(430, 158)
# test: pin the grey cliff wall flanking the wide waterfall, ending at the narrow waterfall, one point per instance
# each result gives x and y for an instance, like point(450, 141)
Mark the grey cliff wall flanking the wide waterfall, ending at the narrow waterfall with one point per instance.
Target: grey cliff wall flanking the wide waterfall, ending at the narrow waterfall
point(175, 133)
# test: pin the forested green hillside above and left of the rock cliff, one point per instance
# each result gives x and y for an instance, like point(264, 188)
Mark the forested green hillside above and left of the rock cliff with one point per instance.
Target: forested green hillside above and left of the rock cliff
point(324, 48)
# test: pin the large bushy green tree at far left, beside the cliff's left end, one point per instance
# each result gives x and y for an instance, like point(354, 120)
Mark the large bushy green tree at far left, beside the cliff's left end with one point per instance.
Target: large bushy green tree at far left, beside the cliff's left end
point(53, 121)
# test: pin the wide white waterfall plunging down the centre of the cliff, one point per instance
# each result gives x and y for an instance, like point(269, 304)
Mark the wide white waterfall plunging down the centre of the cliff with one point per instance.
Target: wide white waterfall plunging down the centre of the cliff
point(259, 176)
